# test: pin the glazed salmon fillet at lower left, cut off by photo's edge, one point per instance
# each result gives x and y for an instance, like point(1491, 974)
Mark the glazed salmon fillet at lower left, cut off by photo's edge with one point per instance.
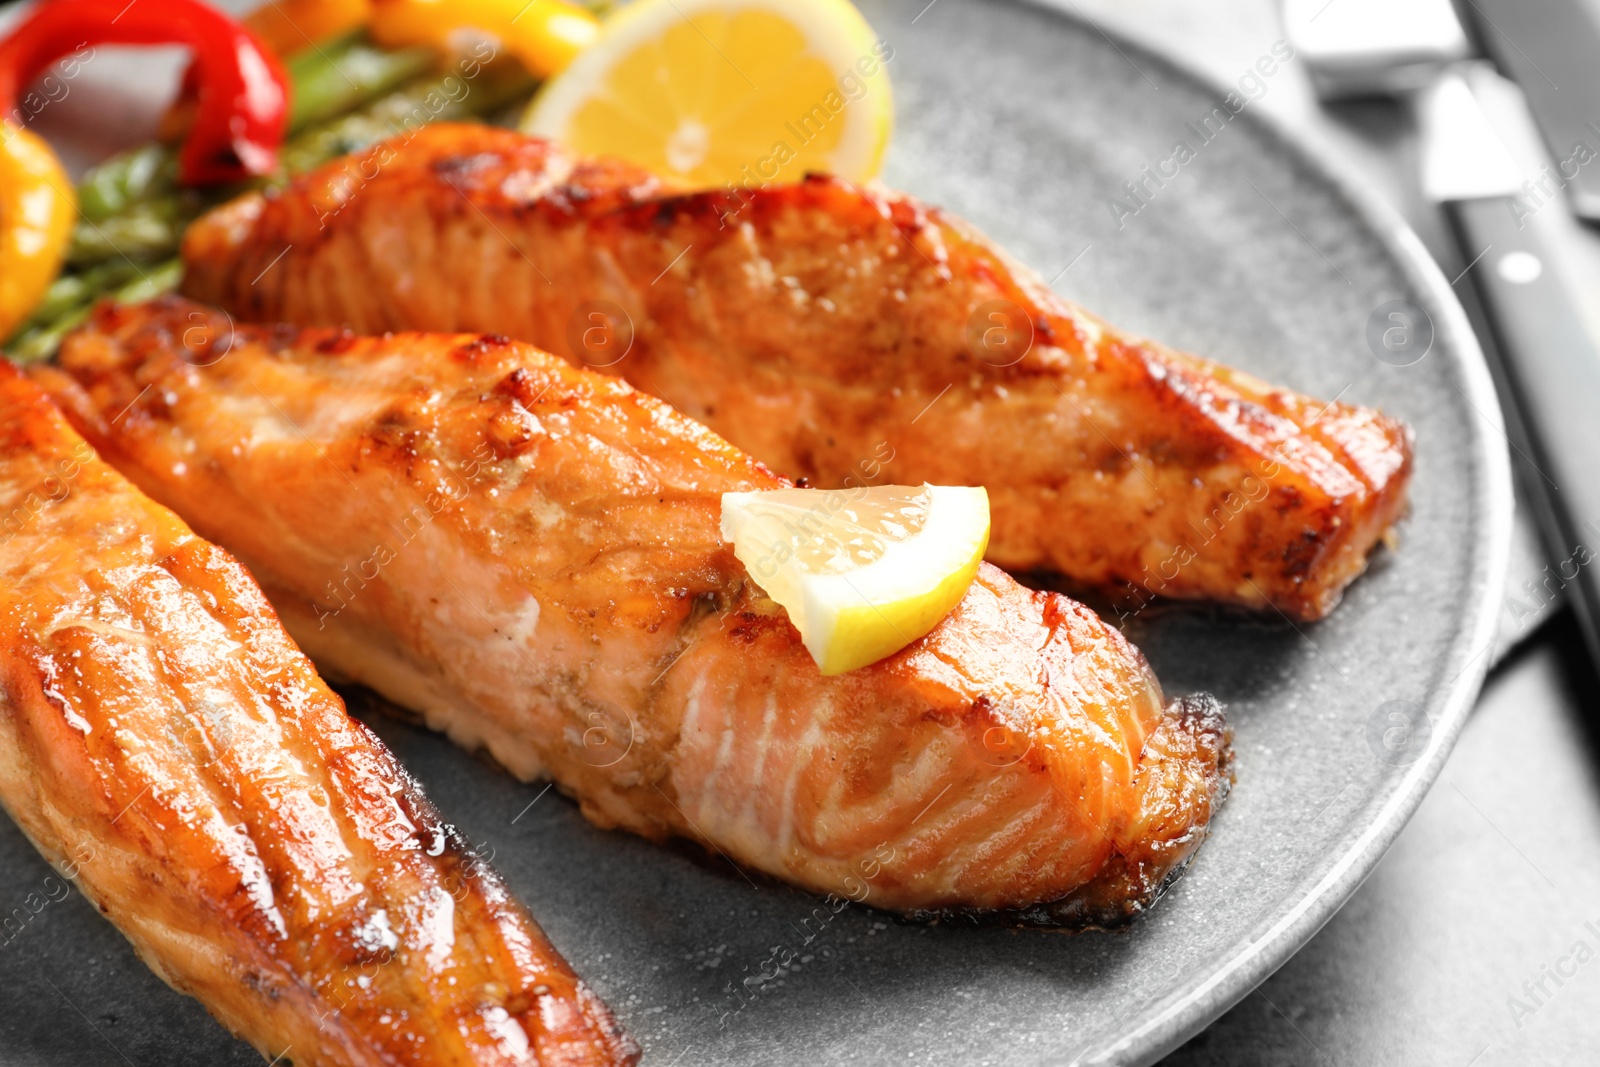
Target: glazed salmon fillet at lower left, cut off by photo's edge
point(166, 745)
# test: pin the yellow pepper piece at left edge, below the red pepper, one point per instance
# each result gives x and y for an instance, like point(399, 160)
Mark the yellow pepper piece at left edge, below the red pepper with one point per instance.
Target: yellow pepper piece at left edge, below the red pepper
point(38, 212)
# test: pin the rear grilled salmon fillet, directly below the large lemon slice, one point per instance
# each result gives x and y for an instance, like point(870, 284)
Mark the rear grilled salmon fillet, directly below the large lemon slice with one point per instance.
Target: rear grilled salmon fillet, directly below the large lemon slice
point(820, 327)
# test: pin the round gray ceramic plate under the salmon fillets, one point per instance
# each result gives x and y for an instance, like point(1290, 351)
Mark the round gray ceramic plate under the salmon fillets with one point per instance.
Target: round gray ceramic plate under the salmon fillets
point(1026, 122)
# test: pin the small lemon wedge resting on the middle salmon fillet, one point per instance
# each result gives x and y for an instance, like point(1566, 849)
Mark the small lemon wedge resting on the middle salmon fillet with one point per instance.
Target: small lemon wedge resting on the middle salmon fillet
point(866, 572)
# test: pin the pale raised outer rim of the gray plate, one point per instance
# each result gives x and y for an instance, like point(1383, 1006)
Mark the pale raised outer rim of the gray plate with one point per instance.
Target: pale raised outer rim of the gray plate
point(1196, 1004)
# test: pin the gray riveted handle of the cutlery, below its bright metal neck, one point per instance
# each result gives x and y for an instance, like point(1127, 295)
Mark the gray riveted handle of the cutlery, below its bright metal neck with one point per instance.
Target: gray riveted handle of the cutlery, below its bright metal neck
point(1553, 369)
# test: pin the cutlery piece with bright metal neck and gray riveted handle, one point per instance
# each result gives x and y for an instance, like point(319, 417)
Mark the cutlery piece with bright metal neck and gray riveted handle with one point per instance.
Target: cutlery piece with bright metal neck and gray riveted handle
point(1545, 353)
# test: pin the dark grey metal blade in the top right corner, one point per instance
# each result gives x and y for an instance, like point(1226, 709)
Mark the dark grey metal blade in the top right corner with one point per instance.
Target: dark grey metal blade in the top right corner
point(1553, 50)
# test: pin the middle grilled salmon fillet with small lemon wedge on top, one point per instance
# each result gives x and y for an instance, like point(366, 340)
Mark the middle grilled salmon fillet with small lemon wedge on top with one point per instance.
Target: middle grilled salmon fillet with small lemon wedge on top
point(529, 554)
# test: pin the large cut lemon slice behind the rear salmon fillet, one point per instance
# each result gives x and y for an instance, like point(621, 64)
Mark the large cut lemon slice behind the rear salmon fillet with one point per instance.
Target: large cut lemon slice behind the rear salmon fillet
point(727, 92)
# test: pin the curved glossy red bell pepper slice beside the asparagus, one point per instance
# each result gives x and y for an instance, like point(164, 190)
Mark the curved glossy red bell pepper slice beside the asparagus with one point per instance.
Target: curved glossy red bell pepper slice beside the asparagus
point(244, 94)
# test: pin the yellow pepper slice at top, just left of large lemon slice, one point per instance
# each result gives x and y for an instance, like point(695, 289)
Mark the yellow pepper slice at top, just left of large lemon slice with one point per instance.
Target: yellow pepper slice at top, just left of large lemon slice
point(543, 34)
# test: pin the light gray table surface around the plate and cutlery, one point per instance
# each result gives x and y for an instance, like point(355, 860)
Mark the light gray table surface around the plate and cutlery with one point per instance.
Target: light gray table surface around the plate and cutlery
point(1474, 941)
